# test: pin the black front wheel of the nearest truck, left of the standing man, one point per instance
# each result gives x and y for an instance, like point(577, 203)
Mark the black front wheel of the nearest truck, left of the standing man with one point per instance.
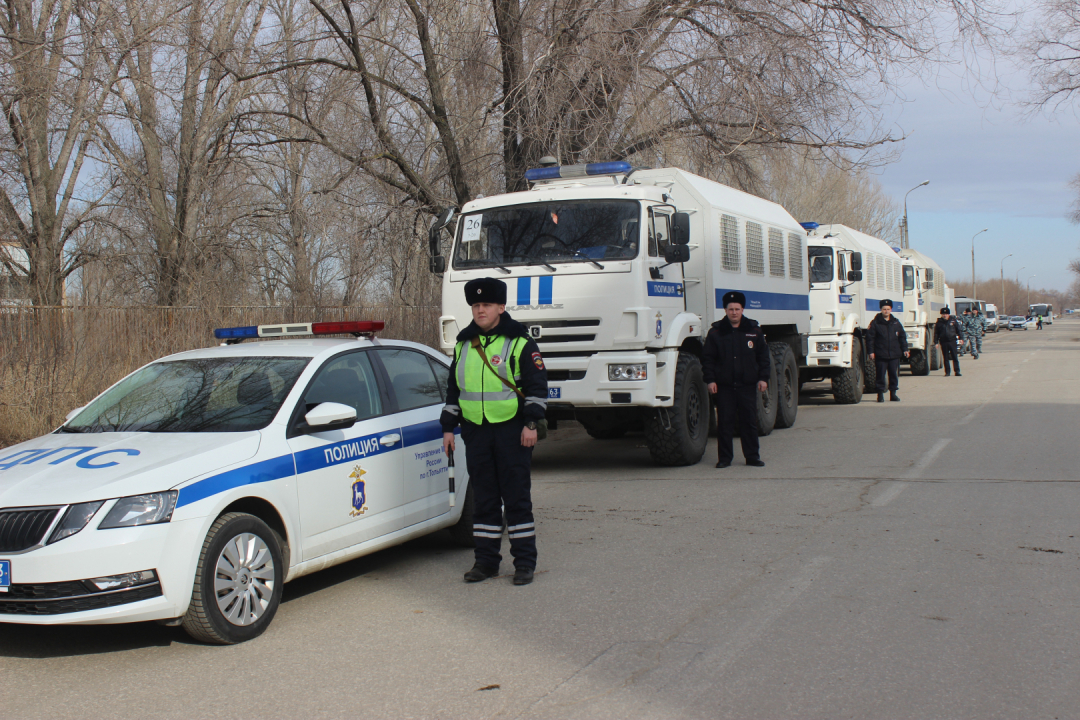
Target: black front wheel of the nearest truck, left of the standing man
point(678, 436)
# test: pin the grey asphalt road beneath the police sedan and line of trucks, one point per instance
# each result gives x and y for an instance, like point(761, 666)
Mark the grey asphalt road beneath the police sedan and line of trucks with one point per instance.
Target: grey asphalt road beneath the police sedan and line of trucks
point(898, 561)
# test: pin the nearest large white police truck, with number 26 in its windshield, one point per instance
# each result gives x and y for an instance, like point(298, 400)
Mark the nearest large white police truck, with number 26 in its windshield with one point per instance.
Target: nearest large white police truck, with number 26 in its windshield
point(618, 273)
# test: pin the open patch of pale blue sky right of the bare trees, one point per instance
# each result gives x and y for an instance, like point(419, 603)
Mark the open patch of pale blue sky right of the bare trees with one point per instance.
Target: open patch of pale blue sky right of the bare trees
point(991, 165)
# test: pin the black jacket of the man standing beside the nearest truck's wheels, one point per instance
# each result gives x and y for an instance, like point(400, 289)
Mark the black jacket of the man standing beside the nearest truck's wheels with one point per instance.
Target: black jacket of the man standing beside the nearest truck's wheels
point(736, 357)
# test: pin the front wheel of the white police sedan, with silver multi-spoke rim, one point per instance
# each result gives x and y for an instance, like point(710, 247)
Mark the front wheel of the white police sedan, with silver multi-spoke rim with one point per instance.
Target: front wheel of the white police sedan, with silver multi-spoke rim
point(238, 582)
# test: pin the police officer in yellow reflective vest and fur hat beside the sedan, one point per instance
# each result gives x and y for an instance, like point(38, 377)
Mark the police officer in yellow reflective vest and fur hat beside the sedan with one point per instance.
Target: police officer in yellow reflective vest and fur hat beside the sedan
point(498, 427)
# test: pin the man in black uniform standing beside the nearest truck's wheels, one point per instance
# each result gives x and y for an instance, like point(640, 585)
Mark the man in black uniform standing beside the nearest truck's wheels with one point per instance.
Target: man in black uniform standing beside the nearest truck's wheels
point(736, 362)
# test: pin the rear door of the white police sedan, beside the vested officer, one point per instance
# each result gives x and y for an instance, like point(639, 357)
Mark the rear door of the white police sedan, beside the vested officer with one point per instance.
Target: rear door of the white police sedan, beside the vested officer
point(418, 386)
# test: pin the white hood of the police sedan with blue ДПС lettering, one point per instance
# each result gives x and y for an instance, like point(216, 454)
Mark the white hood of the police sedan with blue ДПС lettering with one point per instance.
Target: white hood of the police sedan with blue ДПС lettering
point(62, 469)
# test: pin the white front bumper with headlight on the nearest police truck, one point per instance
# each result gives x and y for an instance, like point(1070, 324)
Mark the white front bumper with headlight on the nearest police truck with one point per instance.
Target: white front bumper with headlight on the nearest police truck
point(584, 382)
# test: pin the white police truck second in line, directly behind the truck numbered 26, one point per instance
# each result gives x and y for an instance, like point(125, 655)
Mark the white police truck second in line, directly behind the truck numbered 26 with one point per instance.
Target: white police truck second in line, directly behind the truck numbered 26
point(850, 274)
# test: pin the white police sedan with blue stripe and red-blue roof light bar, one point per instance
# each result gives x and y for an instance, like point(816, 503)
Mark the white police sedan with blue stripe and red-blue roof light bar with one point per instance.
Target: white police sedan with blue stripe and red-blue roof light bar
point(192, 491)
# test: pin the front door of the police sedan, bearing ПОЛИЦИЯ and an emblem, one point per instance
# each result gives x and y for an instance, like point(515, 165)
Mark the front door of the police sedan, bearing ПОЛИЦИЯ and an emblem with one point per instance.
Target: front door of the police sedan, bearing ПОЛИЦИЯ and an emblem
point(349, 482)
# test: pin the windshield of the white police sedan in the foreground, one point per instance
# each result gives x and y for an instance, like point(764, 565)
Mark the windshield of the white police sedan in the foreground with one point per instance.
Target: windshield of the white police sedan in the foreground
point(206, 396)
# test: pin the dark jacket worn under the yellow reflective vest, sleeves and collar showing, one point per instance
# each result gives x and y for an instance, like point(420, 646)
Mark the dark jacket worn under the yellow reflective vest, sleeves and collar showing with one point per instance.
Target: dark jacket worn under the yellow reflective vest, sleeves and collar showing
point(534, 382)
